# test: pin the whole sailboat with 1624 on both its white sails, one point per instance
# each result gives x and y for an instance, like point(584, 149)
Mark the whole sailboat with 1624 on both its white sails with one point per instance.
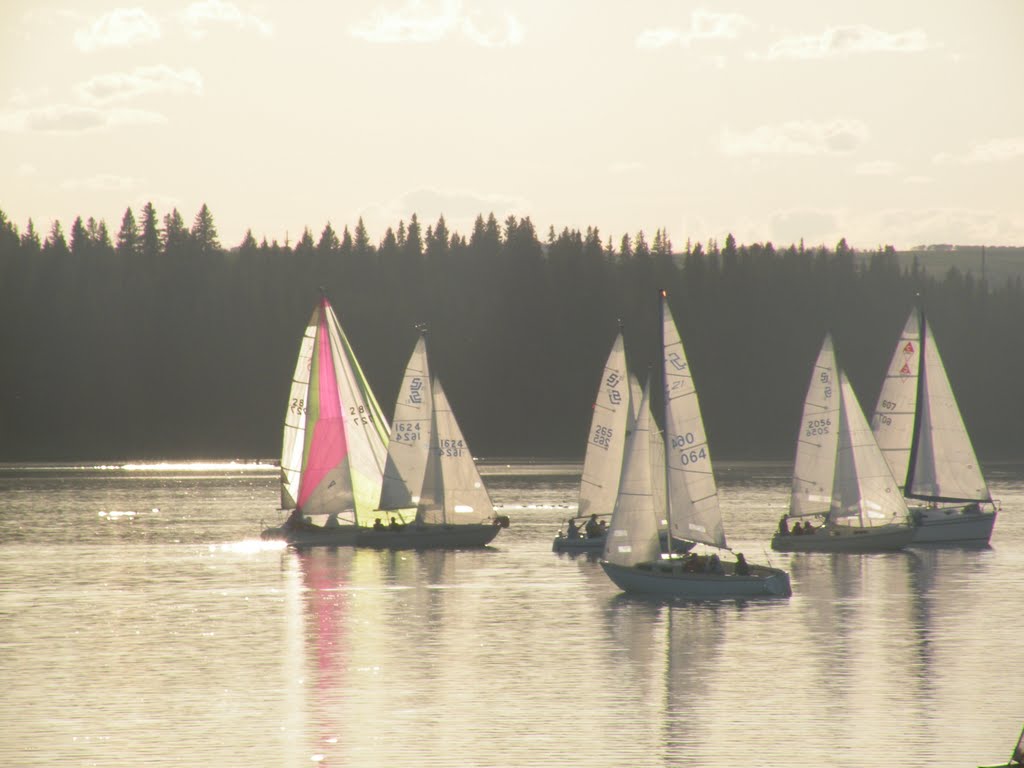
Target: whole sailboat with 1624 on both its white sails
point(431, 474)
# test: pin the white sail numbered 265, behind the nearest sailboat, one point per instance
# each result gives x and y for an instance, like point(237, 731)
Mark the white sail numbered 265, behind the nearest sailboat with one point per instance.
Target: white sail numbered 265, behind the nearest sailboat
point(607, 442)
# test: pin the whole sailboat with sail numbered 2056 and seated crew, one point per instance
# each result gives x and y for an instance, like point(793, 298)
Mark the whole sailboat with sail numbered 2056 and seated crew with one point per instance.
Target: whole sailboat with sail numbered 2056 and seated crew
point(840, 475)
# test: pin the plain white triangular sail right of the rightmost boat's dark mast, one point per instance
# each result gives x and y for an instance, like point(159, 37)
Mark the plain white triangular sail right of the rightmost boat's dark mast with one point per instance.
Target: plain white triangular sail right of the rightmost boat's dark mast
point(944, 463)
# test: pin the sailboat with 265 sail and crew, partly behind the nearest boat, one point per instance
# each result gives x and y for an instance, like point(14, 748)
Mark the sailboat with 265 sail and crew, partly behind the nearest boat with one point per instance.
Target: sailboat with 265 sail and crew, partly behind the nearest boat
point(603, 465)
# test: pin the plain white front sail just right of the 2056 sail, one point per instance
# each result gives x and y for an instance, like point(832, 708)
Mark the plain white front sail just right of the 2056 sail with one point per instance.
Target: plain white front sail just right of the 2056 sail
point(865, 493)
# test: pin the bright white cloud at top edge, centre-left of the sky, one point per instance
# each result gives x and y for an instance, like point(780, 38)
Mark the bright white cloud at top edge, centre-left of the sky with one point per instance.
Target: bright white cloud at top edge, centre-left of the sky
point(419, 22)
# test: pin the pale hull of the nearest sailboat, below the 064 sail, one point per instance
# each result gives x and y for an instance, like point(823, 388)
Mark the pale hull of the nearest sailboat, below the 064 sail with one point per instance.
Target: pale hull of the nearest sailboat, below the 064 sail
point(669, 580)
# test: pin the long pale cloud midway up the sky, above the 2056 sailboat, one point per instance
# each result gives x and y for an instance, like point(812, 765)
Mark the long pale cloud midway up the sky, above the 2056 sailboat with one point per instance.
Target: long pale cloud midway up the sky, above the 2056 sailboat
point(798, 138)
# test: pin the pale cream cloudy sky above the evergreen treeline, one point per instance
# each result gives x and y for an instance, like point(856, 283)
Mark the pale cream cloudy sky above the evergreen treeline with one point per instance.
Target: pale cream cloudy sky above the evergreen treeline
point(885, 123)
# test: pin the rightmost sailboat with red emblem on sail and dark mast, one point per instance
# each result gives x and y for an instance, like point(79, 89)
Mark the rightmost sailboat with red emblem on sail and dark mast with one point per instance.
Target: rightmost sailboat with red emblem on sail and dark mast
point(921, 433)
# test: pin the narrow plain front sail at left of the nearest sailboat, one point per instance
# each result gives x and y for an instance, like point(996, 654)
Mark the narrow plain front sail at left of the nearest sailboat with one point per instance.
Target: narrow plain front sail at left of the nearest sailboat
point(633, 534)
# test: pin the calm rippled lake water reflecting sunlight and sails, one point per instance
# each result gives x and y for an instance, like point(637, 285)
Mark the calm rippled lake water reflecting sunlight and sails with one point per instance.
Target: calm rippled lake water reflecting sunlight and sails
point(144, 624)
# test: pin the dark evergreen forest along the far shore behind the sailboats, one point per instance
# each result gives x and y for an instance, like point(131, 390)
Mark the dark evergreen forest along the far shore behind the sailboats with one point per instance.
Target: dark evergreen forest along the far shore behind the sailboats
point(159, 343)
